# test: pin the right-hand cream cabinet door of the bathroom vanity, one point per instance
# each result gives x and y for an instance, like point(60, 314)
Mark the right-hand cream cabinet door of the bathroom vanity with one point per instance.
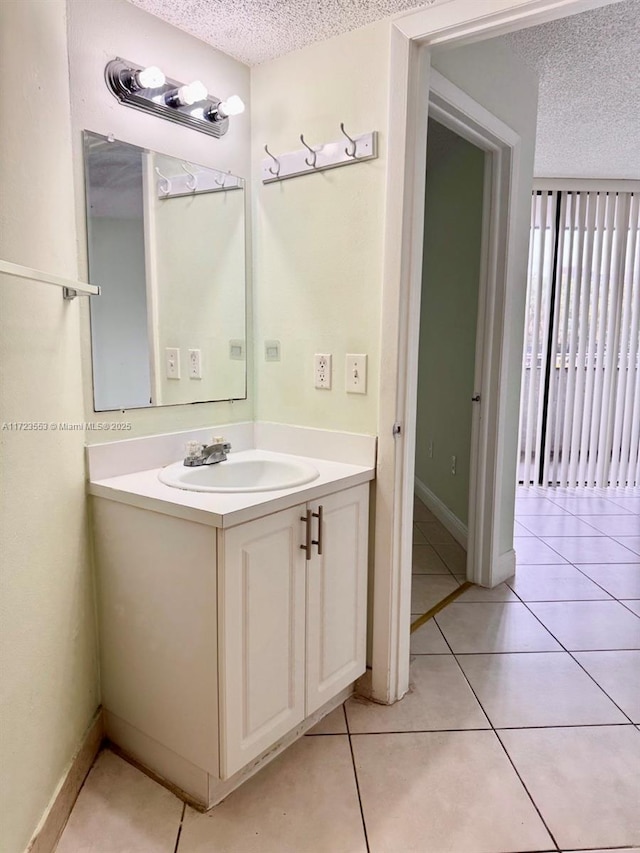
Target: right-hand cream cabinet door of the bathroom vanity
point(337, 595)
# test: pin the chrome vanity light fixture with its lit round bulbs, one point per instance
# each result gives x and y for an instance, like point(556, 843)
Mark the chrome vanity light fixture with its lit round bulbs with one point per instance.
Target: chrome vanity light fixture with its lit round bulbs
point(148, 89)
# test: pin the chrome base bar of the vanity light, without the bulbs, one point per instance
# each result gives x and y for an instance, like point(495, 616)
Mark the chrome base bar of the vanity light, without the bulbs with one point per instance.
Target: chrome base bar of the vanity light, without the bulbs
point(120, 77)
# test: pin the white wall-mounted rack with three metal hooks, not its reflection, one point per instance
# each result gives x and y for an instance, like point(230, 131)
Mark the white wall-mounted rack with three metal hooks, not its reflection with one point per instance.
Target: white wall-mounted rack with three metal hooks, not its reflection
point(327, 156)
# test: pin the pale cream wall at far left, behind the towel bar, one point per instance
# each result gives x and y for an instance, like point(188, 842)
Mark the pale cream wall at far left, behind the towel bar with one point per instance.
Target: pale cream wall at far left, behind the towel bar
point(49, 679)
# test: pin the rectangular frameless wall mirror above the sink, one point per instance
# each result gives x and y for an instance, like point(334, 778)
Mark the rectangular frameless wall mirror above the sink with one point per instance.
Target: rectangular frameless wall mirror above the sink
point(166, 243)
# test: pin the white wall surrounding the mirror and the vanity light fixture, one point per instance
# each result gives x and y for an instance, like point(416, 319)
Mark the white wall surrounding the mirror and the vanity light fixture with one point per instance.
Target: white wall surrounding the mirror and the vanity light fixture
point(99, 31)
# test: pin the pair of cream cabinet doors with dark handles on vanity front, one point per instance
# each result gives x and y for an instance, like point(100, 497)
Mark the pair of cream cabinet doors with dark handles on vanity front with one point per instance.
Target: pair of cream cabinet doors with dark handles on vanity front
point(291, 619)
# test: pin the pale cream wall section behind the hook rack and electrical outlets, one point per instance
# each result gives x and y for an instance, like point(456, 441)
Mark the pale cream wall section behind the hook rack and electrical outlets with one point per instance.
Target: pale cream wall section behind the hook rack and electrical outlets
point(318, 238)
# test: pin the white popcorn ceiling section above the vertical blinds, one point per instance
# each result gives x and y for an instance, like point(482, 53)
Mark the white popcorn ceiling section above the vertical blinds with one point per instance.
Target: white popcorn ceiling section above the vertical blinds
point(589, 109)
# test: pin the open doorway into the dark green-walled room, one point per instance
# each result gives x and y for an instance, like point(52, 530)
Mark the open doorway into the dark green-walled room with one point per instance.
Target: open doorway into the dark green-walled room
point(451, 273)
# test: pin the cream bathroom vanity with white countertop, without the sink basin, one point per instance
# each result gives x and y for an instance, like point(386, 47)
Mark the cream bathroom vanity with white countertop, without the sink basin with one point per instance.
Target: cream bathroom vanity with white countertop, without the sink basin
point(229, 622)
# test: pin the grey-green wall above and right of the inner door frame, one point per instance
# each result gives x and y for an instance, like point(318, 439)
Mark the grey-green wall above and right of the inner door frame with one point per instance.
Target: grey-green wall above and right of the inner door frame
point(490, 74)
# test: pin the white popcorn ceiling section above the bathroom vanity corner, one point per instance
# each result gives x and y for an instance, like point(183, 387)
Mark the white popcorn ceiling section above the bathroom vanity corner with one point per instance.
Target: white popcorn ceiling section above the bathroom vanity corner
point(256, 30)
